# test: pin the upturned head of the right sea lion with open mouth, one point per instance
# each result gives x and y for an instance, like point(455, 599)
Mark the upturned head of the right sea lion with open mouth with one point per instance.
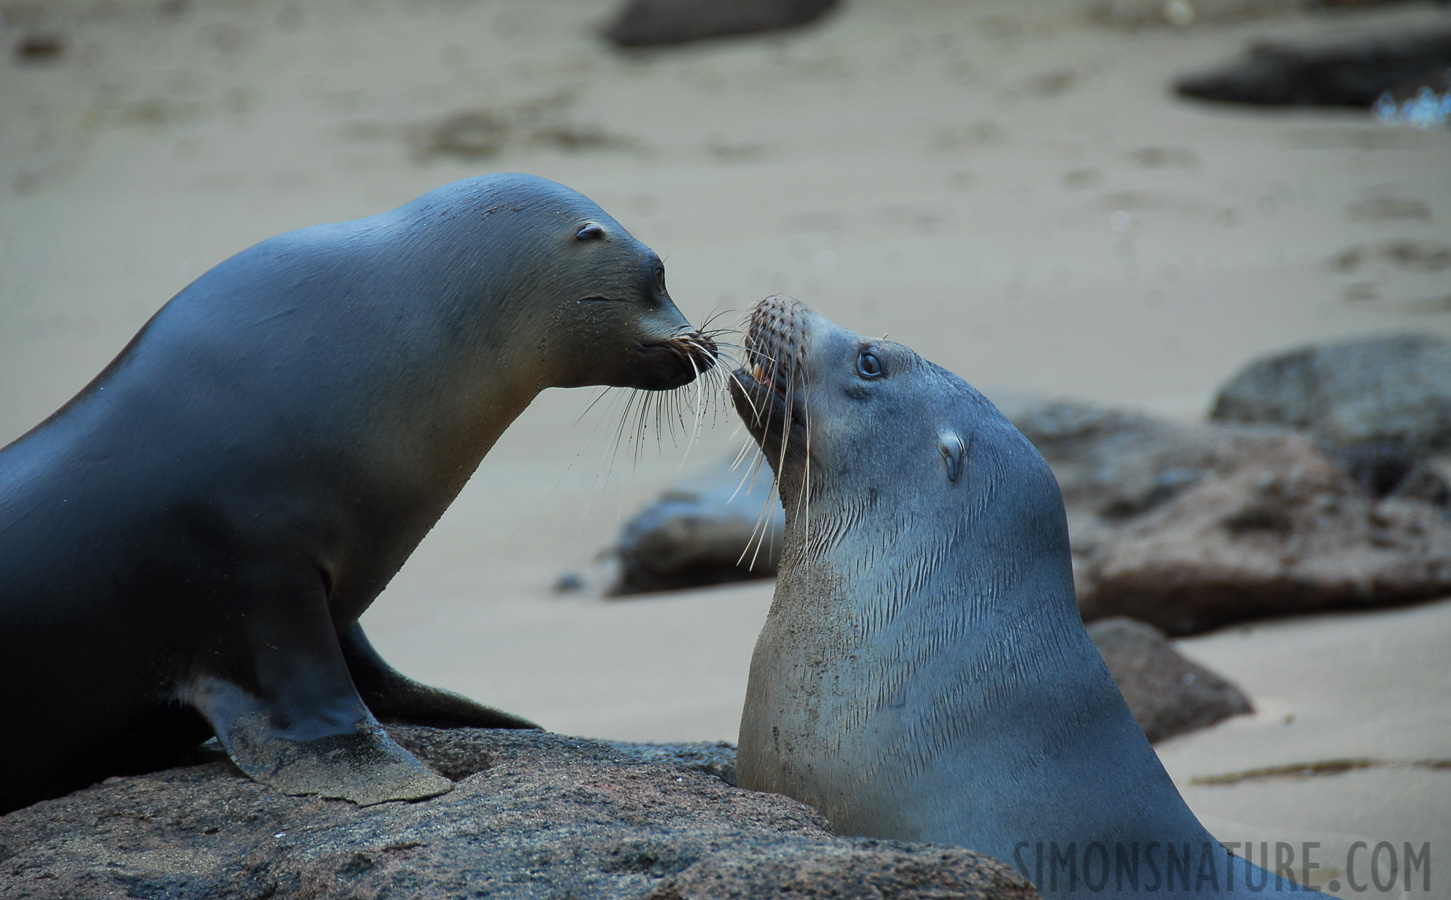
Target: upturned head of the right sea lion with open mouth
point(858, 426)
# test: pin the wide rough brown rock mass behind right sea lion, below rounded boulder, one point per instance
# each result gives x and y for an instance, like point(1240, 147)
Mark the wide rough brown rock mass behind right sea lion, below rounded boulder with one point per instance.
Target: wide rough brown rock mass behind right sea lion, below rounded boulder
point(1189, 528)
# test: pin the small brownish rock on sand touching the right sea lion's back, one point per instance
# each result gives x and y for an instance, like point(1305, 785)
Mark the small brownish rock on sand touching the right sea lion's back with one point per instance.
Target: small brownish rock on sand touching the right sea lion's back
point(1166, 693)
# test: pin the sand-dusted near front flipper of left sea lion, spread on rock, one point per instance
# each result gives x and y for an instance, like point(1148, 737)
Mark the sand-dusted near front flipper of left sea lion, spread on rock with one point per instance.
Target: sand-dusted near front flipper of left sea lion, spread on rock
point(289, 716)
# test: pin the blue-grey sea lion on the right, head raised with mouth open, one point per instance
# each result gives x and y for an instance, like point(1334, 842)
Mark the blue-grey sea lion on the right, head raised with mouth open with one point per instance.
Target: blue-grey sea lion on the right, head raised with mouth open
point(924, 673)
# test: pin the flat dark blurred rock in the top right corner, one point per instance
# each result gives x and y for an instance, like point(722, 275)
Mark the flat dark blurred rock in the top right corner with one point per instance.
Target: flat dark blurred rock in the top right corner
point(1347, 73)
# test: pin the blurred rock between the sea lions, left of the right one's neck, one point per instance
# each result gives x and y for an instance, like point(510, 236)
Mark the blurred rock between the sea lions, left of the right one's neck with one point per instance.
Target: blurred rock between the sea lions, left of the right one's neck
point(703, 532)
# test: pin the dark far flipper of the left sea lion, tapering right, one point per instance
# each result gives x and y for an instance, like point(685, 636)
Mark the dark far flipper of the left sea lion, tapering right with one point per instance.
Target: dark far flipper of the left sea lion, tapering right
point(397, 697)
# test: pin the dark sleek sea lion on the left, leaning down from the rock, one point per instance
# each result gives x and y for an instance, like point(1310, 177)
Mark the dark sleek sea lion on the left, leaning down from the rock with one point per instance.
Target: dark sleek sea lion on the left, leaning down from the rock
point(188, 545)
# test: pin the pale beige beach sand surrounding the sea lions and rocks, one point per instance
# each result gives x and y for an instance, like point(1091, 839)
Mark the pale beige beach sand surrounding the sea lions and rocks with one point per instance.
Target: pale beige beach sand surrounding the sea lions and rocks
point(1008, 188)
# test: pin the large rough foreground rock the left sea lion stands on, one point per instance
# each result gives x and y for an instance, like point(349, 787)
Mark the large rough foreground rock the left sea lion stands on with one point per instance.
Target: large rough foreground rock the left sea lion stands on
point(535, 815)
